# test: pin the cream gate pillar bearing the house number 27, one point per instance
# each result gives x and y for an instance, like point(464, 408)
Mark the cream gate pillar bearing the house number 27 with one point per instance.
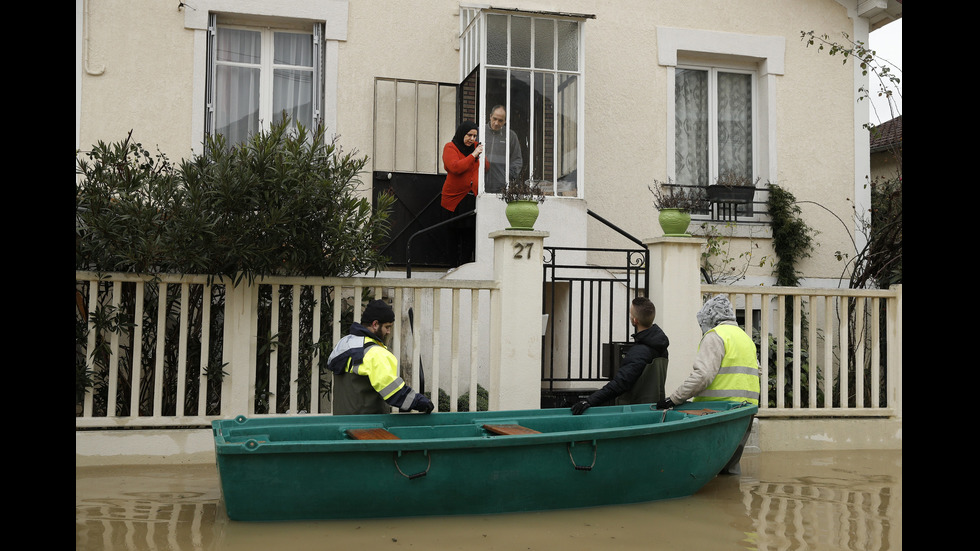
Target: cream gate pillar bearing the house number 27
point(515, 359)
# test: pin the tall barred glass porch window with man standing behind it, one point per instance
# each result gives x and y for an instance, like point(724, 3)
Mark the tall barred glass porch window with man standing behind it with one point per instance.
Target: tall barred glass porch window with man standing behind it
point(530, 66)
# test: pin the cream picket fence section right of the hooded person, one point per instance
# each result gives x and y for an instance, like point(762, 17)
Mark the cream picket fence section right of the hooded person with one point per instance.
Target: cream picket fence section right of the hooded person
point(840, 353)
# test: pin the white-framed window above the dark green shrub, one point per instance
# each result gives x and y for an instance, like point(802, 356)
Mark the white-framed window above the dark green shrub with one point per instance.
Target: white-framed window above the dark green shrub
point(256, 74)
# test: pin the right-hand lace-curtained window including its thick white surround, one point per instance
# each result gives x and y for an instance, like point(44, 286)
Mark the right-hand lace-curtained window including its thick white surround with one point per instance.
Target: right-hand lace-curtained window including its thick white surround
point(722, 104)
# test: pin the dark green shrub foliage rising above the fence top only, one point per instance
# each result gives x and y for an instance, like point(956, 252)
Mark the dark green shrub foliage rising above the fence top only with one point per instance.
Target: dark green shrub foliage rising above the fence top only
point(282, 203)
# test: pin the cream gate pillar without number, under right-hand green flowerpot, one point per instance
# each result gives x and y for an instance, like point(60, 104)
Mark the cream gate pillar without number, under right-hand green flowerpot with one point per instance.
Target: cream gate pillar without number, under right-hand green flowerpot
point(675, 289)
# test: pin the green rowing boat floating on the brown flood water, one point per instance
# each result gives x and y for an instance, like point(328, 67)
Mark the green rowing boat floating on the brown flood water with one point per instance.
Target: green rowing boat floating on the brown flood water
point(291, 468)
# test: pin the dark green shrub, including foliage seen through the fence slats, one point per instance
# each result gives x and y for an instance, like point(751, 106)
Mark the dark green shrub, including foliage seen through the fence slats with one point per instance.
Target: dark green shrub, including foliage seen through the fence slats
point(281, 203)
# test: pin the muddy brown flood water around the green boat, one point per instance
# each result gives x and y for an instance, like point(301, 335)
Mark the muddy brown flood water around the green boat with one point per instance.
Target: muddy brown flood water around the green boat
point(848, 500)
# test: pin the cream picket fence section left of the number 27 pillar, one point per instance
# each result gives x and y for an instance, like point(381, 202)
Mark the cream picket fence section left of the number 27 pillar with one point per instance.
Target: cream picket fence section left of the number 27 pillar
point(163, 381)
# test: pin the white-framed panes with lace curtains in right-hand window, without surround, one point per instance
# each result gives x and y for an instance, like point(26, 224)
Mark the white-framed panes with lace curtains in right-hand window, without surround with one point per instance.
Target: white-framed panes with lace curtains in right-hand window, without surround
point(713, 125)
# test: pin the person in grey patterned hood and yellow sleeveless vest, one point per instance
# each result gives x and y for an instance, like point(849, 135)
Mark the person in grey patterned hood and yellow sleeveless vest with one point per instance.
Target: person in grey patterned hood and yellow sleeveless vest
point(726, 367)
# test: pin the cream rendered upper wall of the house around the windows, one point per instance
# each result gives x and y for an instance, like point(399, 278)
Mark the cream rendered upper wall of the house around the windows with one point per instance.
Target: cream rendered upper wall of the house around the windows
point(152, 84)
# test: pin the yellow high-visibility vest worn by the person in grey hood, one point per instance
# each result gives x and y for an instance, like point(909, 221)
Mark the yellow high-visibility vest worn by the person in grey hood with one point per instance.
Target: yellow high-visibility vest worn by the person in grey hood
point(738, 378)
